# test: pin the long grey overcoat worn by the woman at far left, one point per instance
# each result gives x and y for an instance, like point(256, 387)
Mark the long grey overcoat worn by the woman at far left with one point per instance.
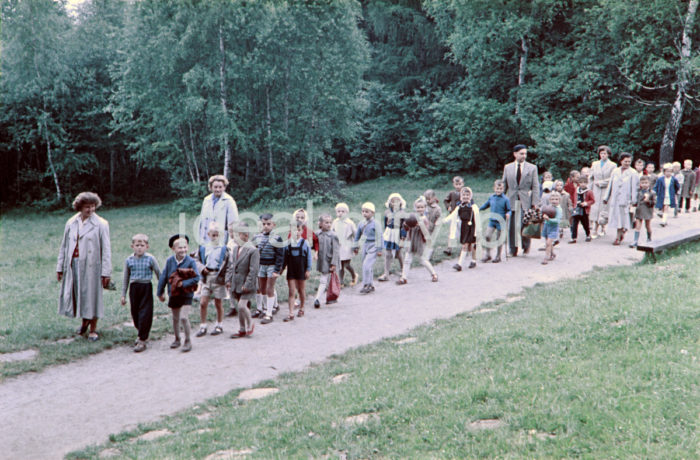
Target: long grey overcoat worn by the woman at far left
point(95, 261)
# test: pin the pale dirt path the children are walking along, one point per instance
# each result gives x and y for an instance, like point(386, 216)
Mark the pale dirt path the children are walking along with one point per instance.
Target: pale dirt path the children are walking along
point(66, 407)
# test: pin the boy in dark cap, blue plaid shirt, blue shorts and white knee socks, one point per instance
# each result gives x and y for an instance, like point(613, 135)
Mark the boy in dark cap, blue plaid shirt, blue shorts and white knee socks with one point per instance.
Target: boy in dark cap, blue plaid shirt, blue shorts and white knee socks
point(271, 249)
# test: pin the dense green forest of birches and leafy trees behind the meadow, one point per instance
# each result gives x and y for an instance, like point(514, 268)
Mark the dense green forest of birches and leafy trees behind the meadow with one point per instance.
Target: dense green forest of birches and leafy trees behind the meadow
point(141, 100)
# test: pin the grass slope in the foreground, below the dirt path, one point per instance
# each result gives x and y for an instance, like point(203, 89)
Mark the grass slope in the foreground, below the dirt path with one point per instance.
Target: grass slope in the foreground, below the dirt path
point(605, 366)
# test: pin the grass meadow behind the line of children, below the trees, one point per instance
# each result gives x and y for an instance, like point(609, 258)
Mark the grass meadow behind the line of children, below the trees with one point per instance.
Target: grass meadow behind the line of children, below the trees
point(30, 241)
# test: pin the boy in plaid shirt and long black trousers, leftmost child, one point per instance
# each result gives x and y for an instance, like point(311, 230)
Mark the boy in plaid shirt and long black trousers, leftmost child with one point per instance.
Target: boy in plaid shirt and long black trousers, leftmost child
point(139, 268)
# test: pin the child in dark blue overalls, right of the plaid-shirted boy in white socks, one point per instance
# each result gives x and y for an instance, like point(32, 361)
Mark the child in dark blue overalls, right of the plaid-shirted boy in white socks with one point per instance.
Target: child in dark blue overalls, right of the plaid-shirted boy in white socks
point(297, 261)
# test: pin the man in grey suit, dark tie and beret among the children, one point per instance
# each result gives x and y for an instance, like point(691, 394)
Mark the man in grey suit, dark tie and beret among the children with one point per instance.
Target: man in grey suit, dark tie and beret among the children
point(523, 190)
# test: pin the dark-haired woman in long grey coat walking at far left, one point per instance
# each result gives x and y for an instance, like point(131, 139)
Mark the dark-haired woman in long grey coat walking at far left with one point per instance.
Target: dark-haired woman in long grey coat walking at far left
point(84, 264)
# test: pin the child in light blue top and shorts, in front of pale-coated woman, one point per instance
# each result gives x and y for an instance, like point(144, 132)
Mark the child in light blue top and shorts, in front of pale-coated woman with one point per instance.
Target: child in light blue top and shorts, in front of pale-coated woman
point(212, 260)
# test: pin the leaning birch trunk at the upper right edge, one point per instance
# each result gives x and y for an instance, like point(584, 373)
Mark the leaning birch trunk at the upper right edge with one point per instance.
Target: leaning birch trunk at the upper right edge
point(668, 141)
